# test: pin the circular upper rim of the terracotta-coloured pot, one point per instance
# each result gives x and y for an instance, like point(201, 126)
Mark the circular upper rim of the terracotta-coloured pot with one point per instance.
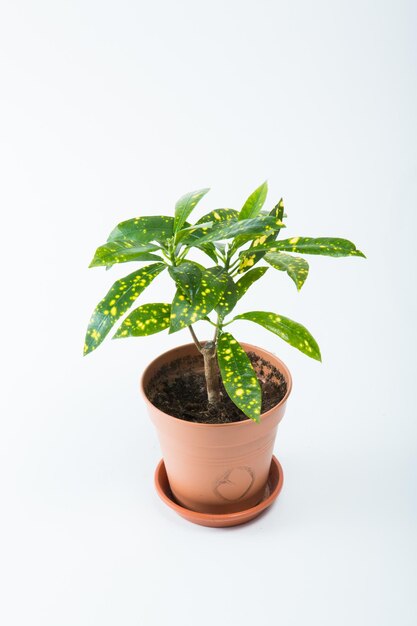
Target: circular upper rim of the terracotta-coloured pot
point(247, 346)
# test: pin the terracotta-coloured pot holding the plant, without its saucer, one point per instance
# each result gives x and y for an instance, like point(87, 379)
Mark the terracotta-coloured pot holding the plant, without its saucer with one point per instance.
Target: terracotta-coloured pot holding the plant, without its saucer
point(216, 468)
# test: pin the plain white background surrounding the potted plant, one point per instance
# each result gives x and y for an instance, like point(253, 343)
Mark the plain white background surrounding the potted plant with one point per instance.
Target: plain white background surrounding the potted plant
point(112, 110)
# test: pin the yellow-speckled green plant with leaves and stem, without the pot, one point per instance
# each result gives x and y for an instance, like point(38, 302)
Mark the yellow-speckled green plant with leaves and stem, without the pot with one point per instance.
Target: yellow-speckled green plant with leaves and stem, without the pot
point(235, 242)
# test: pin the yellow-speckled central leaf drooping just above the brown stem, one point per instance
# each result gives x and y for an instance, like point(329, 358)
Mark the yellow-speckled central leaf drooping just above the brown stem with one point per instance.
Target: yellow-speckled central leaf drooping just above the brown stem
point(186, 310)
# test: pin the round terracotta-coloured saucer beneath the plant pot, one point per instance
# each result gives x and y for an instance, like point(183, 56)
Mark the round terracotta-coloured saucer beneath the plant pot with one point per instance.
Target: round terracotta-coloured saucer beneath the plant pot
point(272, 490)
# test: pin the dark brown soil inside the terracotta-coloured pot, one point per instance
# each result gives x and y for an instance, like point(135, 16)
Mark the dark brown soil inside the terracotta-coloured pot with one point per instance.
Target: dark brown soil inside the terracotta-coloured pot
point(179, 389)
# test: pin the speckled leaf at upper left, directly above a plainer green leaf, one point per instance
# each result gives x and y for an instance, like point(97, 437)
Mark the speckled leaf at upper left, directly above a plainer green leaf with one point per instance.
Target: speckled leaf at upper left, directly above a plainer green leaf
point(144, 229)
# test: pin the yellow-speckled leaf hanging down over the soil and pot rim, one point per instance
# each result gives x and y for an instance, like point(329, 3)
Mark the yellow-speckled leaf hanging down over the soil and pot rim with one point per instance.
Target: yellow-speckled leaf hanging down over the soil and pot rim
point(238, 376)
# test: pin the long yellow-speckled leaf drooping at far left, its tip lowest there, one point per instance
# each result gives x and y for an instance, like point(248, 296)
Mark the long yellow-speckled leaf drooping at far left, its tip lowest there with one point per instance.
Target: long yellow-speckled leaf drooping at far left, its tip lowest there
point(116, 302)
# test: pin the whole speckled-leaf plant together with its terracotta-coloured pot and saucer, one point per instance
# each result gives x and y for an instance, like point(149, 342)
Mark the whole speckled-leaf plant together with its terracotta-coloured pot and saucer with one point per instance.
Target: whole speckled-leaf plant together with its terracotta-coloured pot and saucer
point(217, 403)
